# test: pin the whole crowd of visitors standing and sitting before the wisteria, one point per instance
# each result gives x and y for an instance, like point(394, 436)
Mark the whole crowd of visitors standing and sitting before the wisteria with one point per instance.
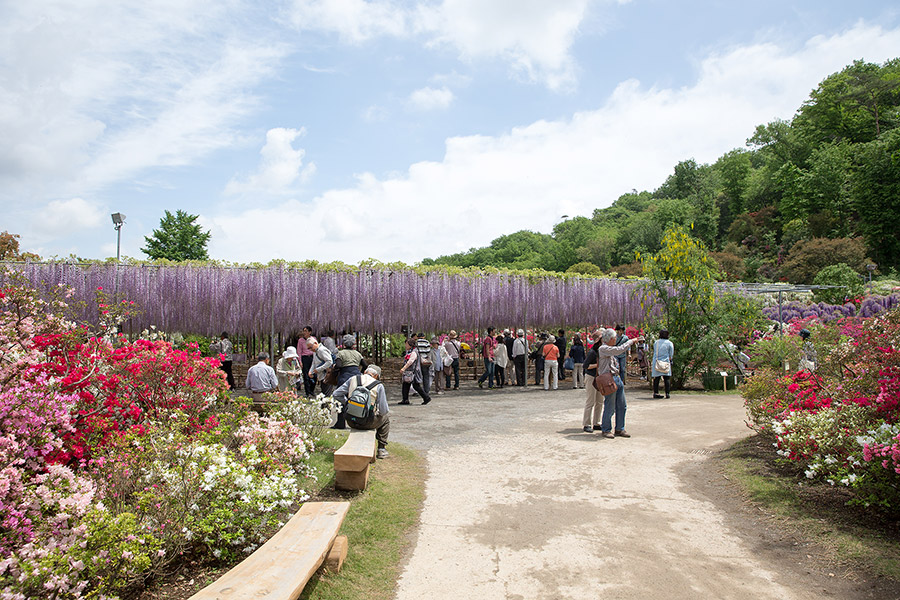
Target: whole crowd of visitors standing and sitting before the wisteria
point(596, 364)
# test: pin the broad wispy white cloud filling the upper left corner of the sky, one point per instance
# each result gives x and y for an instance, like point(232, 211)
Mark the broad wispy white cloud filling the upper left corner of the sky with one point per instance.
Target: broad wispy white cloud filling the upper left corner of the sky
point(91, 93)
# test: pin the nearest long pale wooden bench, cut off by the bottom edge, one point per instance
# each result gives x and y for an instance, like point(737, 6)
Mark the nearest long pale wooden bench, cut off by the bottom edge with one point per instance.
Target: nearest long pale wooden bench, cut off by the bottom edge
point(280, 568)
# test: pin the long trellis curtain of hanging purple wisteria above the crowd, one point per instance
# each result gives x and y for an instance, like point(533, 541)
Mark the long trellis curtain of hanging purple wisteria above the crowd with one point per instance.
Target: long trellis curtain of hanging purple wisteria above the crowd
point(207, 299)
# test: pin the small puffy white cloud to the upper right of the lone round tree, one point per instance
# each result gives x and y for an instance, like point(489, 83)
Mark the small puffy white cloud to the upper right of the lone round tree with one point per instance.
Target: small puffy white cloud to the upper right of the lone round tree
point(281, 166)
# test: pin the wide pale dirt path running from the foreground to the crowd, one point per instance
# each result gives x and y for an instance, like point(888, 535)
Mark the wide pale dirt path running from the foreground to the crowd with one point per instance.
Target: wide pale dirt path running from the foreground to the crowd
point(520, 503)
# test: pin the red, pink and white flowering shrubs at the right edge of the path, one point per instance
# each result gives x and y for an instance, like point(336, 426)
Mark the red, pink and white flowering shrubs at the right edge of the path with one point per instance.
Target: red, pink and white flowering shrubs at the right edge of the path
point(842, 422)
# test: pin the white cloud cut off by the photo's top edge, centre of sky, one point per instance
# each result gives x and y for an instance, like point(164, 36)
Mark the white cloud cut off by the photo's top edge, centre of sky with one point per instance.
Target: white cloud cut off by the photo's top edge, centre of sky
point(533, 36)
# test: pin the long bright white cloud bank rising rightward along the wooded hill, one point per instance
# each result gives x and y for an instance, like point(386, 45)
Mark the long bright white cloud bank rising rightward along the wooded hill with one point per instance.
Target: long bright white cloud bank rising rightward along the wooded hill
point(486, 186)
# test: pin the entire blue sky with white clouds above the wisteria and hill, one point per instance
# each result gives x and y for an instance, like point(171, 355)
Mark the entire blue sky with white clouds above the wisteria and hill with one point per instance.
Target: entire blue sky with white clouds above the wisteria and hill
point(395, 130)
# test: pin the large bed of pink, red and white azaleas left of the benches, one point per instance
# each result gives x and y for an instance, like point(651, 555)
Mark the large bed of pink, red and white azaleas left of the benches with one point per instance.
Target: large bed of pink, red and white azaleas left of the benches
point(121, 459)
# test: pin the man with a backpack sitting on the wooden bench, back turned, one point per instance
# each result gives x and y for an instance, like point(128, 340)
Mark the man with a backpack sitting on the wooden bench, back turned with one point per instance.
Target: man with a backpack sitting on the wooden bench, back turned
point(364, 405)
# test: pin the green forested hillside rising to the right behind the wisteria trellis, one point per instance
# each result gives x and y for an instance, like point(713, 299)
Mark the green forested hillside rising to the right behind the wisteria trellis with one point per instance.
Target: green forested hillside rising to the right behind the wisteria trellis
point(819, 190)
